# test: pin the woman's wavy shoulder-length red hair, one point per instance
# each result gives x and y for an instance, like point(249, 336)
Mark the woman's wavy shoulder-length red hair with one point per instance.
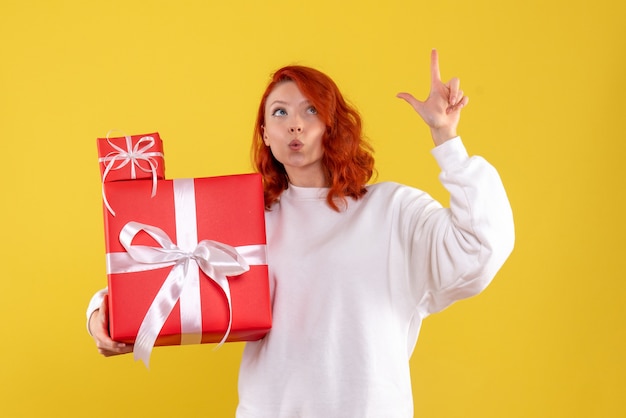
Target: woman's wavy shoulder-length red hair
point(348, 161)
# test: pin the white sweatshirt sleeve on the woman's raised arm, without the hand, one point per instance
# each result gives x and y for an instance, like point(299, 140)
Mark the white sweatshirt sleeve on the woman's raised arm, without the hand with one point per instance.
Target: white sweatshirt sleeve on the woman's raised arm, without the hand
point(460, 249)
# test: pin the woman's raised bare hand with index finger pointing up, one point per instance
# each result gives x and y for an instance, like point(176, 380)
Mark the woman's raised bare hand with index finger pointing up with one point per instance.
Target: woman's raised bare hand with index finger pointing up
point(442, 109)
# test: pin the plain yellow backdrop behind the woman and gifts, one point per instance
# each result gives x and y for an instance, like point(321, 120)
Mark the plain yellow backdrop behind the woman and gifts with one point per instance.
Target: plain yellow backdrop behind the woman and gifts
point(546, 81)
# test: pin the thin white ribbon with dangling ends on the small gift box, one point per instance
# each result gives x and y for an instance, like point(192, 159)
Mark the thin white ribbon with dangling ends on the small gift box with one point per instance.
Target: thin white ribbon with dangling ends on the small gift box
point(115, 160)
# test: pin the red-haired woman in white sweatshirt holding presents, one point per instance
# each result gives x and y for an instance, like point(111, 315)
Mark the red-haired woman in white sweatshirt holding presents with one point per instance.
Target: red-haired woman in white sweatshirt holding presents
point(355, 268)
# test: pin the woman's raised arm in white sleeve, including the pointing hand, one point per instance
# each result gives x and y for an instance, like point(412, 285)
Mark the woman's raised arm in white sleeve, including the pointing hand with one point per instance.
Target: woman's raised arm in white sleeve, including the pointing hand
point(456, 251)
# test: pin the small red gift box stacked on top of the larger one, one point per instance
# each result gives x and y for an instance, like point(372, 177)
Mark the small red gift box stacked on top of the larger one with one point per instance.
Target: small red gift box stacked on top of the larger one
point(131, 157)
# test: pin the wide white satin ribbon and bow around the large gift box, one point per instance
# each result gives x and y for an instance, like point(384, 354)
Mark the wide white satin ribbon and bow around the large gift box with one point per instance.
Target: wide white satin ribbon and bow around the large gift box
point(215, 259)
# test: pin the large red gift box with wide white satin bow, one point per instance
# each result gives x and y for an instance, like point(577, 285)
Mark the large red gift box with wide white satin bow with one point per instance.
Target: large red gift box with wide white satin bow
point(155, 245)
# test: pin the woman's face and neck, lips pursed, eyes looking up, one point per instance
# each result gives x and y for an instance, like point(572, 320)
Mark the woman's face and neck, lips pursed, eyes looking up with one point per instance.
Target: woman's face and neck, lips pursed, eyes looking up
point(294, 131)
